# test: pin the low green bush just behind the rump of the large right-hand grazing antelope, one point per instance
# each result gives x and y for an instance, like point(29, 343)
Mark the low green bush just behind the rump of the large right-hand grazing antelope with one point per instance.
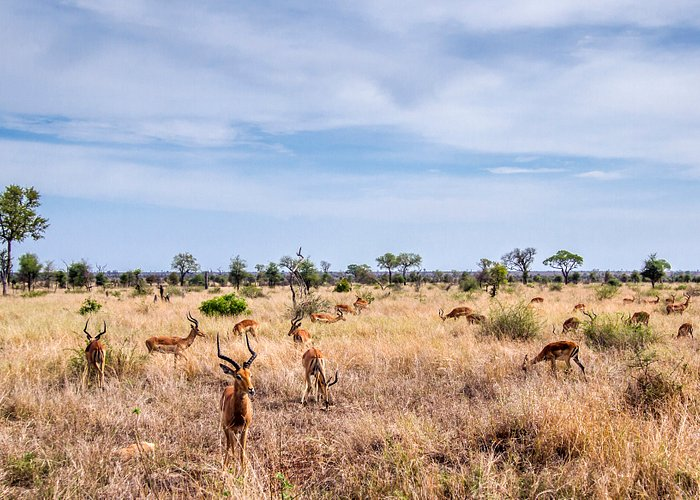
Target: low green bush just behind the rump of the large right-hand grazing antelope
point(613, 332)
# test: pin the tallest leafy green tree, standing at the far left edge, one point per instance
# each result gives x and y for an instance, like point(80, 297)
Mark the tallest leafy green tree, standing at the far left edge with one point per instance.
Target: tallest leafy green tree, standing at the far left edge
point(18, 219)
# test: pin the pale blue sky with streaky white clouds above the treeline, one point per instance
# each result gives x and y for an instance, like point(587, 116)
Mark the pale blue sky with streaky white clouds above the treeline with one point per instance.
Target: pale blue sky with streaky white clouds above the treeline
point(456, 130)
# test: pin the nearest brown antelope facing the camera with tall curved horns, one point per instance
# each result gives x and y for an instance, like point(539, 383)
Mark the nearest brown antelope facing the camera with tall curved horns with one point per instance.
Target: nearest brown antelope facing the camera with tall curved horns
point(236, 407)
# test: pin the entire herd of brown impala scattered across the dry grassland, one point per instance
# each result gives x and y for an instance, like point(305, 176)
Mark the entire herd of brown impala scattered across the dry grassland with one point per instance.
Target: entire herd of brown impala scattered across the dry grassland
point(236, 400)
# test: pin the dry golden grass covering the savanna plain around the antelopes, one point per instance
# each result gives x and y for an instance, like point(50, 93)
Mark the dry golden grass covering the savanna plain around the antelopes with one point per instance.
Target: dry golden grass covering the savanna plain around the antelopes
point(424, 408)
